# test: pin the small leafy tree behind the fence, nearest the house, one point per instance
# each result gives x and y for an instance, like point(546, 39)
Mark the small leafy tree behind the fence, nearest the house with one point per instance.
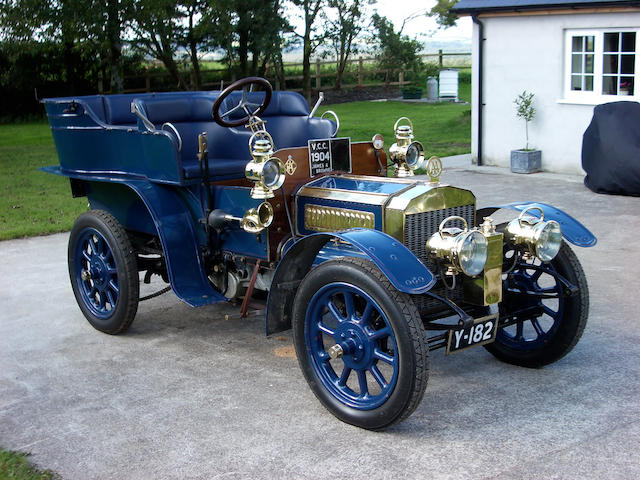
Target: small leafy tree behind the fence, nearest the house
point(395, 50)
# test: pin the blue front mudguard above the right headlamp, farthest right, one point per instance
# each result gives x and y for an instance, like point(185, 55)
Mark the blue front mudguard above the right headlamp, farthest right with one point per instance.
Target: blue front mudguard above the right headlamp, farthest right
point(572, 230)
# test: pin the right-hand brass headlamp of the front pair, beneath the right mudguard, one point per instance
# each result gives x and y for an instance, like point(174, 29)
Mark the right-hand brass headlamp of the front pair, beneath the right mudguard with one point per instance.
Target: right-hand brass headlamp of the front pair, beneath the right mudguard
point(534, 236)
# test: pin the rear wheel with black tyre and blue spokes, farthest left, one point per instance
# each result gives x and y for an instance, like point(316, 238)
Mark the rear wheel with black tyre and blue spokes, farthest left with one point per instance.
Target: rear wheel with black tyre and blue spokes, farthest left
point(103, 271)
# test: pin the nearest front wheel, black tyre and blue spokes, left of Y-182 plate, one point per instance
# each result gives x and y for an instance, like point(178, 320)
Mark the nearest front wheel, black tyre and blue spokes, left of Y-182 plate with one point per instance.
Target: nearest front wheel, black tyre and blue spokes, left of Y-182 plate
point(389, 347)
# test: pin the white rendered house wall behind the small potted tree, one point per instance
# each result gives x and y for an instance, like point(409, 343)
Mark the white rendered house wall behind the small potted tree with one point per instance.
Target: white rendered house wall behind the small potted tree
point(527, 53)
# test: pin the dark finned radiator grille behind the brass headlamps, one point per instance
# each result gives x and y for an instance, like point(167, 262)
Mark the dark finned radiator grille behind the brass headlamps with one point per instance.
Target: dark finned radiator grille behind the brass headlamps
point(418, 228)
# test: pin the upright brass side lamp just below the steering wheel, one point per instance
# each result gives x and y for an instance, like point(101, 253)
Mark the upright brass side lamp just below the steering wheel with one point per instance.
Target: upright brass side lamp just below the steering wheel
point(266, 171)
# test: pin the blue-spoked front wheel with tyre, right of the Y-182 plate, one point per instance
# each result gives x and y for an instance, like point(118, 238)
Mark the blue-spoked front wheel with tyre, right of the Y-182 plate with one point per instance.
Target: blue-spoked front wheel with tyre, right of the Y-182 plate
point(549, 318)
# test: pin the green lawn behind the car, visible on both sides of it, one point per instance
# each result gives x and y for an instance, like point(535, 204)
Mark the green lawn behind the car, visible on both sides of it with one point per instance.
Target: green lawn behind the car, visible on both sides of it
point(35, 203)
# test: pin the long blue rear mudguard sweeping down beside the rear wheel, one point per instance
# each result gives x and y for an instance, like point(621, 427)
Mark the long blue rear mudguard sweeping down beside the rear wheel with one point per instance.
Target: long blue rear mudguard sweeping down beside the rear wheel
point(176, 230)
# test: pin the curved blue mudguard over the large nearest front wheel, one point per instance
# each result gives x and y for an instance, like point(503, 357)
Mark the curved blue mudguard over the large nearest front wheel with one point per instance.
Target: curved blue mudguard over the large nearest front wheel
point(401, 267)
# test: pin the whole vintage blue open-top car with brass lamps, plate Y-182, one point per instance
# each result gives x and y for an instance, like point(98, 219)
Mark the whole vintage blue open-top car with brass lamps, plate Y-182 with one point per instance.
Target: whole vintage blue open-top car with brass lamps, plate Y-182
point(371, 266)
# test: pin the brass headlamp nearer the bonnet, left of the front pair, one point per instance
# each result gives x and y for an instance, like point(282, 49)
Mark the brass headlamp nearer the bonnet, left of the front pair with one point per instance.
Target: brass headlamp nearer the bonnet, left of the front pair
point(461, 250)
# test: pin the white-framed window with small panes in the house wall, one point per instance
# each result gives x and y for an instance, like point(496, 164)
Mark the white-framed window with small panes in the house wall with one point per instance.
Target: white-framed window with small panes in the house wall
point(601, 64)
